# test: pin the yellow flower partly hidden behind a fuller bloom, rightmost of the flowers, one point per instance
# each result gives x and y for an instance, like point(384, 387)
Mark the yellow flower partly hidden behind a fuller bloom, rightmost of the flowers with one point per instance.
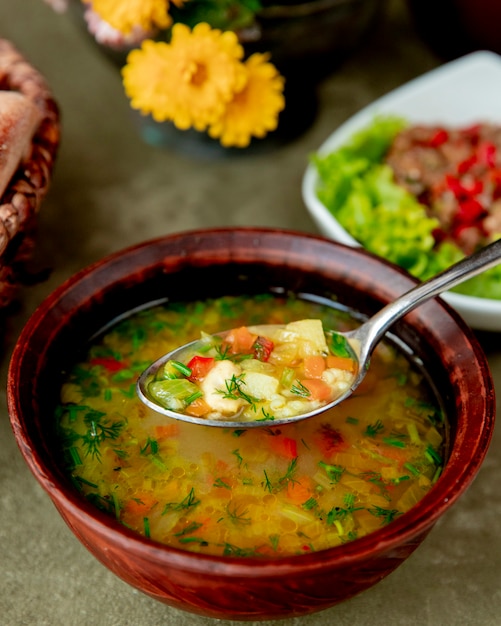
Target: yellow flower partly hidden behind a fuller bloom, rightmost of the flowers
point(254, 110)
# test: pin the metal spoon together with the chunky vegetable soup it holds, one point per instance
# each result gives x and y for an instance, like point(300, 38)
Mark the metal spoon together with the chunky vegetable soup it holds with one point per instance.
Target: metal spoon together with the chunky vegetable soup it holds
point(257, 375)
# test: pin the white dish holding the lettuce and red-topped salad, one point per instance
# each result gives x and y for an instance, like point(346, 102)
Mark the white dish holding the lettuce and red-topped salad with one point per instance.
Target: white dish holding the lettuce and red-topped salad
point(461, 92)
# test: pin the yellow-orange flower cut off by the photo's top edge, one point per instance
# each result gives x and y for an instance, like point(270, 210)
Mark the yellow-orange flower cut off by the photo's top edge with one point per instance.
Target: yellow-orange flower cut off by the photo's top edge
point(125, 15)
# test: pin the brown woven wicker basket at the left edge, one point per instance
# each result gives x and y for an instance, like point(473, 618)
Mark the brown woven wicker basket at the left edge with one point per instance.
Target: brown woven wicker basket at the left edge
point(20, 203)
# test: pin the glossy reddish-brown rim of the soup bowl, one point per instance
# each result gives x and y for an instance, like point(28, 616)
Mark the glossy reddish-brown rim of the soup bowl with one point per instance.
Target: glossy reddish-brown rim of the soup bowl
point(415, 522)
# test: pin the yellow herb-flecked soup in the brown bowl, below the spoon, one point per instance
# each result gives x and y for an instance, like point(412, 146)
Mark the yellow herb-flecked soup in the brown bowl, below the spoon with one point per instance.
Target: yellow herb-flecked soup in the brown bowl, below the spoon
point(263, 491)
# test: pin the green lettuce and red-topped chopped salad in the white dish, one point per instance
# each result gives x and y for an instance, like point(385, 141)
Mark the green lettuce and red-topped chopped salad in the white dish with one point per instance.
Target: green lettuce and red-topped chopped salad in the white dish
point(422, 197)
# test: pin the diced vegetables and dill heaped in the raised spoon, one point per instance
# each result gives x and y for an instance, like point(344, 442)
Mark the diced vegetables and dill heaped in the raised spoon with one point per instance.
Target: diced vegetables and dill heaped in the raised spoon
point(256, 373)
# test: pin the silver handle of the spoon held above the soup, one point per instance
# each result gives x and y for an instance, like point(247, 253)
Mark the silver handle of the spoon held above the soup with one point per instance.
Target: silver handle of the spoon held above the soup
point(371, 331)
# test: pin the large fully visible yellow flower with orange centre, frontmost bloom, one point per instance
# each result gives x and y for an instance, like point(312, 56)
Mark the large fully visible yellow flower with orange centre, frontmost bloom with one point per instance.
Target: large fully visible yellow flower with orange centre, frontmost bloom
point(188, 81)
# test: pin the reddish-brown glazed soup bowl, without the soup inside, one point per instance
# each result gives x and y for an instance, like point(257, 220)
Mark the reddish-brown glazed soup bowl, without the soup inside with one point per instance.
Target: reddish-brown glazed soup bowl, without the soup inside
point(249, 260)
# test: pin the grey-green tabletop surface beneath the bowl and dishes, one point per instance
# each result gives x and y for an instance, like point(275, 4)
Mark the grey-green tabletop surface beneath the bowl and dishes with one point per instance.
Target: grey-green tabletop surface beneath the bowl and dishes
point(111, 190)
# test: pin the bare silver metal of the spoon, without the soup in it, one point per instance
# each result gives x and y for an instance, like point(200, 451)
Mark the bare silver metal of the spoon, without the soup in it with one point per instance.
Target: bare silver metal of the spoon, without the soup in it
point(363, 339)
